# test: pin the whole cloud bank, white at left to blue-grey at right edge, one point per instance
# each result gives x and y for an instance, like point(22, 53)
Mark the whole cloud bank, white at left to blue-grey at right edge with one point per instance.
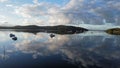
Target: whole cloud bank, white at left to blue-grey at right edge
point(74, 12)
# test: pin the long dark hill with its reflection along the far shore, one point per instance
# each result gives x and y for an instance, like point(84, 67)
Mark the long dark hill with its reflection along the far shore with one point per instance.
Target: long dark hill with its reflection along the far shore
point(60, 29)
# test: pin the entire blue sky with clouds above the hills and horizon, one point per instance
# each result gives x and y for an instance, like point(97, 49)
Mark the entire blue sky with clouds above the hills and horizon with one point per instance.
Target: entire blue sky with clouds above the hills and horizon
point(60, 12)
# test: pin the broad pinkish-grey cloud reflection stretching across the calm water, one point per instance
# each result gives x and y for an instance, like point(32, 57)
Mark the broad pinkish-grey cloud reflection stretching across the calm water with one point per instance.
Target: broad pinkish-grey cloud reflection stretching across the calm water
point(102, 51)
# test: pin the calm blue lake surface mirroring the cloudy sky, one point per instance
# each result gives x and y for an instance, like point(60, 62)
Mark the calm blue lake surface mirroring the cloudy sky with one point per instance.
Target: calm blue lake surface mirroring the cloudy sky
point(92, 49)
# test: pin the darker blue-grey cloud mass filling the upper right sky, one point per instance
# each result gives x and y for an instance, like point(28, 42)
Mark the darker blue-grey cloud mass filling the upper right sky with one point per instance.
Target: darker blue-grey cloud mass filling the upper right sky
point(93, 12)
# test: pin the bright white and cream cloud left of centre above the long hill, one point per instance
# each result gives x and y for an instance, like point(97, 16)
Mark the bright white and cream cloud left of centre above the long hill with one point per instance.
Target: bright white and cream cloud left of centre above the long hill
point(42, 13)
